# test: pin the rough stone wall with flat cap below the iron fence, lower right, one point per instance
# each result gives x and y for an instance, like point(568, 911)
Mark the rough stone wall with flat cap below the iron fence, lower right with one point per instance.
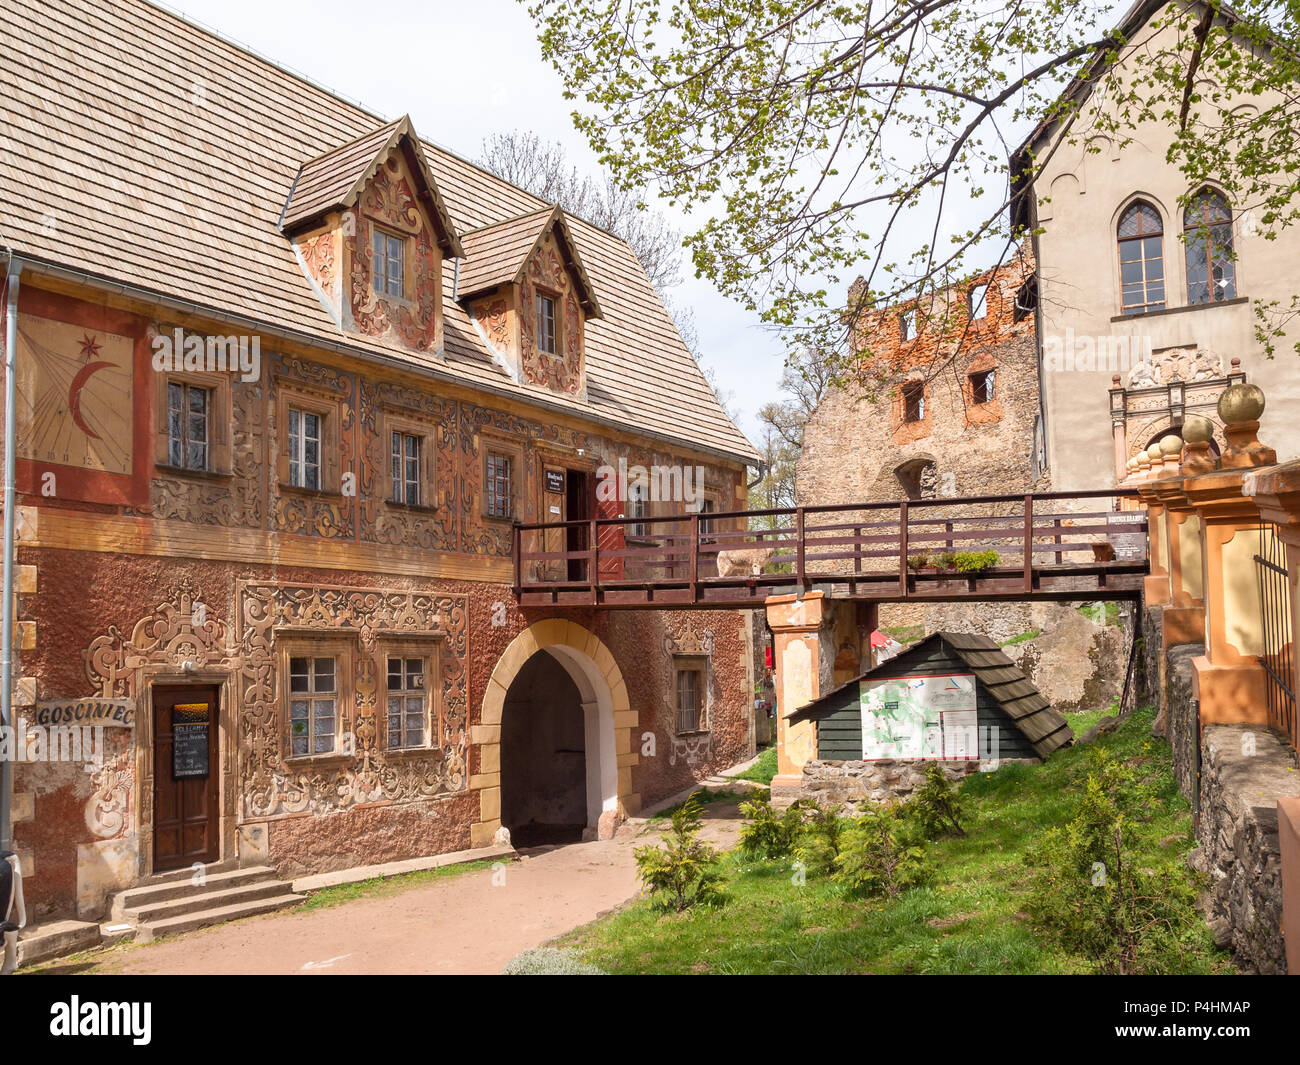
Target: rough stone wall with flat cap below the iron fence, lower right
point(1245, 770)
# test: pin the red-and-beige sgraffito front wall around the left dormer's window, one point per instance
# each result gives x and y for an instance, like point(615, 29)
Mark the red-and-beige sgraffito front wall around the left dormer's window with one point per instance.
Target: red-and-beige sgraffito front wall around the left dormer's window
point(389, 202)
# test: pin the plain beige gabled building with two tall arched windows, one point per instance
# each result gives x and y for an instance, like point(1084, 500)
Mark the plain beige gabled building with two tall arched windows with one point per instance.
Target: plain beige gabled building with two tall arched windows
point(1145, 314)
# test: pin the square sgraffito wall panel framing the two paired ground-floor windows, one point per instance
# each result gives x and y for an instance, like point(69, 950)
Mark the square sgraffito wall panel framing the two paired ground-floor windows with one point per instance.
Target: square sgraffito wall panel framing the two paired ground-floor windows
point(272, 786)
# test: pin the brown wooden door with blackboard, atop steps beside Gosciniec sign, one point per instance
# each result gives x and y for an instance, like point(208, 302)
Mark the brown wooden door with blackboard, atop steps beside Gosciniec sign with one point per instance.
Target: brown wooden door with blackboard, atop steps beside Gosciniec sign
point(185, 777)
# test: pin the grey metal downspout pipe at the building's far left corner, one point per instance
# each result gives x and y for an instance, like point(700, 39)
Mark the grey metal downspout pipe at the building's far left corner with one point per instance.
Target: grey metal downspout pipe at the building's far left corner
point(11, 447)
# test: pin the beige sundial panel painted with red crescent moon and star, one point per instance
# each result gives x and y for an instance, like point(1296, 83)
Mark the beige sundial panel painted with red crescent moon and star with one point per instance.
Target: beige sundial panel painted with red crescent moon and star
point(75, 391)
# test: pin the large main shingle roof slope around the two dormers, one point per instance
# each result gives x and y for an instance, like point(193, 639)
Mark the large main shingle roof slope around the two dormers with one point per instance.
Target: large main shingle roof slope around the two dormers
point(174, 188)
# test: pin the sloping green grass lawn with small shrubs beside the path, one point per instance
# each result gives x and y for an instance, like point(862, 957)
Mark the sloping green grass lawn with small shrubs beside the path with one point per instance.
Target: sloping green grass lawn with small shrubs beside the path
point(968, 920)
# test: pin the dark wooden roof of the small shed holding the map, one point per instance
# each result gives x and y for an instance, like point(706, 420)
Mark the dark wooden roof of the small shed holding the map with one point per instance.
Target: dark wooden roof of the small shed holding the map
point(1043, 728)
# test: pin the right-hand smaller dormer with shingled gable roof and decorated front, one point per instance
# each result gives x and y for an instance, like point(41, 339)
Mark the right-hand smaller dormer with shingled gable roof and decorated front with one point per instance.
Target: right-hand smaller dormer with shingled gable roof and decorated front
point(530, 297)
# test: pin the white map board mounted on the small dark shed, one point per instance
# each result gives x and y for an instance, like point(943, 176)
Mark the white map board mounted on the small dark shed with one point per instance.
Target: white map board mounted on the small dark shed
point(920, 717)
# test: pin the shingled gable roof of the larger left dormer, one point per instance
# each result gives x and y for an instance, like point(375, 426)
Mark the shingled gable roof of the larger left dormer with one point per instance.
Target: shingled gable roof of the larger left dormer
point(336, 179)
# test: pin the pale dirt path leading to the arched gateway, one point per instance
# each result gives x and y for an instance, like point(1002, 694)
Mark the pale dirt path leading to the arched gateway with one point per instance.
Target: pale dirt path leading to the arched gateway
point(460, 925)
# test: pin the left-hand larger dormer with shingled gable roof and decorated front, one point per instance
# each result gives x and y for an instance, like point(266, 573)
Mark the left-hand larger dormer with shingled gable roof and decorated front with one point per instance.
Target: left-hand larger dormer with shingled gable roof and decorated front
point(371, 232)
